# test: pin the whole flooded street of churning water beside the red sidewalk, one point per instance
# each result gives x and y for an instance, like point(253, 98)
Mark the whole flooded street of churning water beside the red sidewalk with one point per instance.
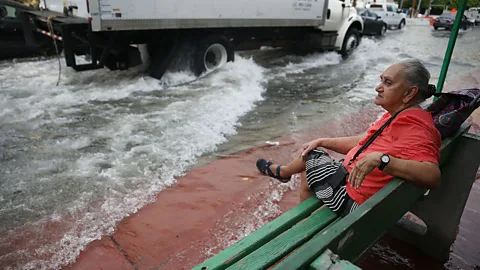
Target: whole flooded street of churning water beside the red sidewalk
point(78, 157)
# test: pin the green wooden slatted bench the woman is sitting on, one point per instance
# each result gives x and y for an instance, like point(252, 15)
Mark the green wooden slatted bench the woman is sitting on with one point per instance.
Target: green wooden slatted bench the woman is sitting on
point(311, 236)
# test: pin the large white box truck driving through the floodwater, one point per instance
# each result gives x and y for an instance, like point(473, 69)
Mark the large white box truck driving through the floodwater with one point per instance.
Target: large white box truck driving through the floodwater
point(118, 34)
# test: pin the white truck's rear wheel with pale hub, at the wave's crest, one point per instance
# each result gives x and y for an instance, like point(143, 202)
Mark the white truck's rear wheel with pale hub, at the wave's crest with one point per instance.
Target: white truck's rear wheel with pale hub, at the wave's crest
point(211, 53)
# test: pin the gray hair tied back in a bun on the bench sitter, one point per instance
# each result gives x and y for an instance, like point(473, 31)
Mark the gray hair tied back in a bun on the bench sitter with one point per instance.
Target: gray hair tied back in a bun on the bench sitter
point(417, 75)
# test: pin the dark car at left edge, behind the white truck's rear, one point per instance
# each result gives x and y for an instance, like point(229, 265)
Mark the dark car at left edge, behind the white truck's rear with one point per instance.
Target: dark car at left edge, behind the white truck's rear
point(12, 39)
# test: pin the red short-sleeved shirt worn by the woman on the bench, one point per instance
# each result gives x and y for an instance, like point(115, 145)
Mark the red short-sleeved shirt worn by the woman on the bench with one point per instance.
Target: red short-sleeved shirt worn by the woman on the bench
point(410, 136)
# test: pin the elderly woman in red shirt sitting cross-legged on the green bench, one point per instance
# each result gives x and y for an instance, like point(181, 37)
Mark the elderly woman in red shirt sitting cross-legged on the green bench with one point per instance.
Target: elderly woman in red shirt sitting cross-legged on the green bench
point(403, 143)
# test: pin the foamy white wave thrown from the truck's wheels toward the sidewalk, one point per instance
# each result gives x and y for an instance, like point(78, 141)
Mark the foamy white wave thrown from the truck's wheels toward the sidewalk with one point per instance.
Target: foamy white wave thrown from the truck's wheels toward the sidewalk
point(79, 157)
